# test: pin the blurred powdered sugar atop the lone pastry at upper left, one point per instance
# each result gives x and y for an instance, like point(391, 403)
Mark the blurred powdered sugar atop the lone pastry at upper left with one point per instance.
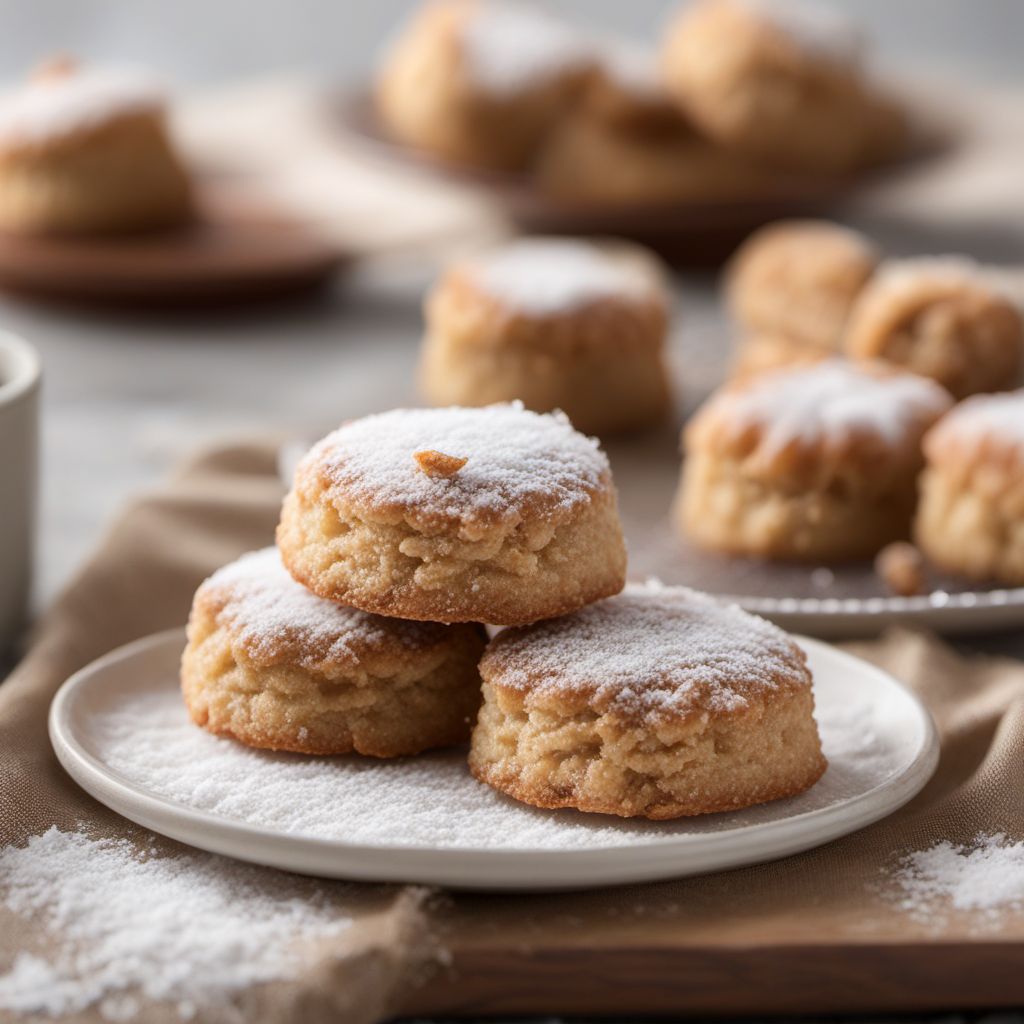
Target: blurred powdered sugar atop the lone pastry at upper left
point(60, 106)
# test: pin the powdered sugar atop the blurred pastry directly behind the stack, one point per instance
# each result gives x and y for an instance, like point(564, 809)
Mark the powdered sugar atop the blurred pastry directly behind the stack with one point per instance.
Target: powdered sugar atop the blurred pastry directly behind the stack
point(548, 276)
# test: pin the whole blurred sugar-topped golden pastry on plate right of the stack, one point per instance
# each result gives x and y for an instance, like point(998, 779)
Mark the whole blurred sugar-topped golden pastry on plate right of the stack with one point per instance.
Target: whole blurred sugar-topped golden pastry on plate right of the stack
point(818, 463)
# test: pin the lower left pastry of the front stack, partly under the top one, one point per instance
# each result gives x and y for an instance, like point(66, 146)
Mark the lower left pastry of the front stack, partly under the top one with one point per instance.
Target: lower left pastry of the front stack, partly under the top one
point(273, 666)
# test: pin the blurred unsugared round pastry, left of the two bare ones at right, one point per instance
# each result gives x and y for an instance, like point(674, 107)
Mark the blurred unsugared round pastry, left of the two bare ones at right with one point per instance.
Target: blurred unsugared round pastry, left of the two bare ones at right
point(799, 280)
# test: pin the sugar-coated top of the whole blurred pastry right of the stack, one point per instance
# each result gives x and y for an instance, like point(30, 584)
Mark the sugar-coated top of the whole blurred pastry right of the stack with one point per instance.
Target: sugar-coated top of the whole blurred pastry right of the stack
point(833, 401)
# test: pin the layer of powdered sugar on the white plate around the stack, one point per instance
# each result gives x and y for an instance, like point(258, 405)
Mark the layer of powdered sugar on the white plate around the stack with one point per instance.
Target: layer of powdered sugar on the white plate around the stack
point(432, 801)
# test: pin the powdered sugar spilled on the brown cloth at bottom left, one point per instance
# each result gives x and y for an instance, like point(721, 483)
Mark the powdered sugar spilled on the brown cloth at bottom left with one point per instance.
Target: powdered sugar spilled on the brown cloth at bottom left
point(189, 931)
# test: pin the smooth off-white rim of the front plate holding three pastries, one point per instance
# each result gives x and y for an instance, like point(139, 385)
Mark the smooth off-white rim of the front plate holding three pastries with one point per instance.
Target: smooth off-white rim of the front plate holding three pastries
point(116, 792)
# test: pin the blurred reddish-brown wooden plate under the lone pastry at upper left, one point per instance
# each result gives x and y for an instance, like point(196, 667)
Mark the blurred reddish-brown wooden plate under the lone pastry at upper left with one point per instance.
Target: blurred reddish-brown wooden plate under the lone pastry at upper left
point(236, 250)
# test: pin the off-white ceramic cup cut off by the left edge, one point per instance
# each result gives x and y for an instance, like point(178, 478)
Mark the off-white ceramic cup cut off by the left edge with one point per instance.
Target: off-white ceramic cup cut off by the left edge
point(20, 378)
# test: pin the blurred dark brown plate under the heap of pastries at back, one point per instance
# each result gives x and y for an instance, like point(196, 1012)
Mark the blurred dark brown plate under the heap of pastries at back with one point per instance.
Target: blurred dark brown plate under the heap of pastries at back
point(686, 234)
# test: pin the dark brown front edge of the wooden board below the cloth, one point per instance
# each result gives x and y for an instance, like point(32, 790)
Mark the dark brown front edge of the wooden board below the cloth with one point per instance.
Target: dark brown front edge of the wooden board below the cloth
point(633, 979)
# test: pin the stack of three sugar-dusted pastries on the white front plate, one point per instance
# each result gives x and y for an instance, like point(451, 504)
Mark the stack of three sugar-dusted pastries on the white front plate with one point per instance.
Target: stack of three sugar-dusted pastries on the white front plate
point(407, 530)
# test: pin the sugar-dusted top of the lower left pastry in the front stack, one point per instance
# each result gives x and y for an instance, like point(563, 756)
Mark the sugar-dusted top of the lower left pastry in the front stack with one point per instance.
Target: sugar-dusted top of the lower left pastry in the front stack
point(273, 616)
